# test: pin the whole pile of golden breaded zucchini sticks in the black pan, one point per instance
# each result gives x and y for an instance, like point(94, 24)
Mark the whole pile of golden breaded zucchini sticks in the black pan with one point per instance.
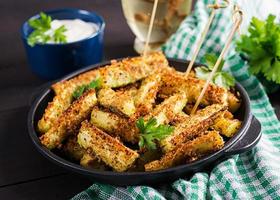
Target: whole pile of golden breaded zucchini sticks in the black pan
point(133, 88)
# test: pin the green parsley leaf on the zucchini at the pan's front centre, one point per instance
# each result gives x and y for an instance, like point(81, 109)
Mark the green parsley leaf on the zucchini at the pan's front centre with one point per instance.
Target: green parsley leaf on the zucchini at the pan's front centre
point(149, 132)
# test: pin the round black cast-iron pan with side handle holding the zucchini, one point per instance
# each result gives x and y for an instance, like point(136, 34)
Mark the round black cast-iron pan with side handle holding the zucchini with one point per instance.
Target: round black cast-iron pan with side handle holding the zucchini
point(246, 138)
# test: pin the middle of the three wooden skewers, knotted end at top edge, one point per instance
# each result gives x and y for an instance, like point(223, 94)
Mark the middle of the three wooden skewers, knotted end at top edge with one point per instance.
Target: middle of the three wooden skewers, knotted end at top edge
point(204, 33)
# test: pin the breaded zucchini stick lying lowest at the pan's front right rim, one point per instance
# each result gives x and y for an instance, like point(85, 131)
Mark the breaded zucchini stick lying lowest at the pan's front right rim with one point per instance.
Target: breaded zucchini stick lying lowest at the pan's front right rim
point(191, 150)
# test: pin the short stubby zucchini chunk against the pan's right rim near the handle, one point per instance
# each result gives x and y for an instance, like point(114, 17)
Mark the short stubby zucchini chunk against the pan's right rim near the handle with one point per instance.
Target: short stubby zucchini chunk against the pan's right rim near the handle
point(226, 124)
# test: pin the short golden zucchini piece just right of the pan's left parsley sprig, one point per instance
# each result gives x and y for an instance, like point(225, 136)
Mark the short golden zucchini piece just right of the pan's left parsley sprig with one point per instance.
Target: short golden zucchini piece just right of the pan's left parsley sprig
point(119, 102)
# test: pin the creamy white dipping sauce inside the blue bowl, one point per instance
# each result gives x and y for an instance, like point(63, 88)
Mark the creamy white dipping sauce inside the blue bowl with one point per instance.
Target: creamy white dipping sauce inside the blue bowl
point(76, 29)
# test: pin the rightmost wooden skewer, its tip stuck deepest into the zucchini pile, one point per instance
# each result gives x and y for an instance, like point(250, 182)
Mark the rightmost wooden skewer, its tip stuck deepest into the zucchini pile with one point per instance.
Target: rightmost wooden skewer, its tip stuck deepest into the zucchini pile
point(228, 42)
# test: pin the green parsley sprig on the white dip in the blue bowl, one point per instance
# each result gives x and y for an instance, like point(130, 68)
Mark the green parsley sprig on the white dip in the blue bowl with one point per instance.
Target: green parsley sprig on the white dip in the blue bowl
point(41, 33)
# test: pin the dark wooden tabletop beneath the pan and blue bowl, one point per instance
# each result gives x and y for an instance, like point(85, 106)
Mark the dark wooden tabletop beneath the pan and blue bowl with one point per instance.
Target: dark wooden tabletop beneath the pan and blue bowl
point(24, 173)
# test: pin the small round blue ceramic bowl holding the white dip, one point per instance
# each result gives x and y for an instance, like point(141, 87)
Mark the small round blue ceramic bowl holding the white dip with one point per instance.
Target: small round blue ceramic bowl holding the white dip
point(51, 61)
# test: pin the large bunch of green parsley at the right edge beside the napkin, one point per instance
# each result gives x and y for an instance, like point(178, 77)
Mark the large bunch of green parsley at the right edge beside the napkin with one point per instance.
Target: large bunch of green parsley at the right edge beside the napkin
point(261, 46)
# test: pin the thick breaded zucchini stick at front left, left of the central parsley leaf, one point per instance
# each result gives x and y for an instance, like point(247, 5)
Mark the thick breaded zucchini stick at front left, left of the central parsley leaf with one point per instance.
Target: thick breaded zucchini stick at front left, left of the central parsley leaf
point(110, 150)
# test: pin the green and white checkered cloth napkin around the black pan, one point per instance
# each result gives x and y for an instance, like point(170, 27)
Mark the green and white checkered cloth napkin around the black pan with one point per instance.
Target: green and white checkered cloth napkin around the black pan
point(251, 175)
